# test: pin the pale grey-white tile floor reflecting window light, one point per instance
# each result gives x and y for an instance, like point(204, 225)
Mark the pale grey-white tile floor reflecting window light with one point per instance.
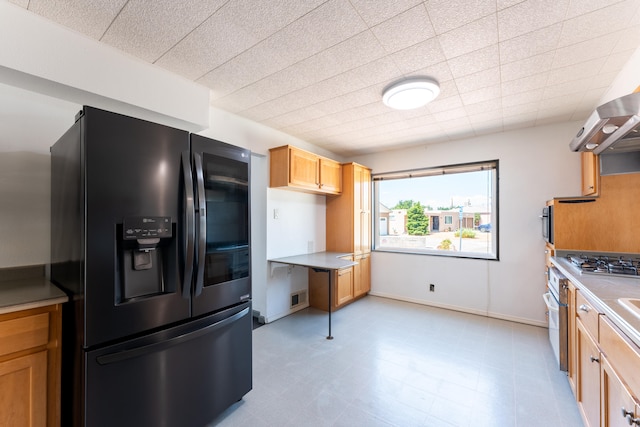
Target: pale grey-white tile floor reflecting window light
point(393, 363)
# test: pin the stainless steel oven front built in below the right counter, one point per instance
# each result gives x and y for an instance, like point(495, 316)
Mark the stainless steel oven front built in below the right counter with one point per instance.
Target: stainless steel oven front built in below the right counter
point(557, 305)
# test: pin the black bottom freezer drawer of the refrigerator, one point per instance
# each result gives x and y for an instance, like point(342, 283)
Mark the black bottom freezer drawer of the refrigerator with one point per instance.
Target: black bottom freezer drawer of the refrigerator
point(183, 376)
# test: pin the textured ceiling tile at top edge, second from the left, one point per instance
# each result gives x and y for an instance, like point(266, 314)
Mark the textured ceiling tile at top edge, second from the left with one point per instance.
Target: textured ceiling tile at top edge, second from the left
point(149, 29)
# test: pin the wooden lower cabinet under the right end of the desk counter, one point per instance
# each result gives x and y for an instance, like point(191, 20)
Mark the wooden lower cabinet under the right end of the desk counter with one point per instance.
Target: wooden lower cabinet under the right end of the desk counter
point(341, 293)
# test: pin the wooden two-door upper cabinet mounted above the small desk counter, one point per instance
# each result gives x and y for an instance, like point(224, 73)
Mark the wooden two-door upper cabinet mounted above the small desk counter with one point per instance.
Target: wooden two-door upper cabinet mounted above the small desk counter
point(301, 170)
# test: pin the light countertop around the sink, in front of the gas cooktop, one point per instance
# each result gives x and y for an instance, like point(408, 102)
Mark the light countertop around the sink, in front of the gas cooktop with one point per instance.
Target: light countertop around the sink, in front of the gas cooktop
point(604, 291)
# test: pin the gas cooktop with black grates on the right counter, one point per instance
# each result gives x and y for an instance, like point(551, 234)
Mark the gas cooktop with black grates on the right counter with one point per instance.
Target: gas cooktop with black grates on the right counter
point(606, 264)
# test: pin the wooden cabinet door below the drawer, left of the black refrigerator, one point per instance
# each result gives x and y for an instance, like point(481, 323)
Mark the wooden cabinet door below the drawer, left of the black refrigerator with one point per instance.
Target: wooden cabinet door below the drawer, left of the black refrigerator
point(23, 391)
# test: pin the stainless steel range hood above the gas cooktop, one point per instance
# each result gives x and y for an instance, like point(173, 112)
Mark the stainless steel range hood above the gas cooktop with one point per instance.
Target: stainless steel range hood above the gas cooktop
point(613, 126)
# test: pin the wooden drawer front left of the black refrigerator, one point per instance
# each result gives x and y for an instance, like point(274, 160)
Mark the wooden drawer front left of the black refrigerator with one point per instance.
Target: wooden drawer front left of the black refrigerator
point(23, 333)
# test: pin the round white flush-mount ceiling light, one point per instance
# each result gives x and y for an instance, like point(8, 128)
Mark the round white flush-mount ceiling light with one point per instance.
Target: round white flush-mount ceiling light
point(410, 93)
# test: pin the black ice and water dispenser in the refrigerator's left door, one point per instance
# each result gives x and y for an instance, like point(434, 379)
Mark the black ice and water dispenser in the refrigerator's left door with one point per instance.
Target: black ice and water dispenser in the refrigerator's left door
point(143, 249)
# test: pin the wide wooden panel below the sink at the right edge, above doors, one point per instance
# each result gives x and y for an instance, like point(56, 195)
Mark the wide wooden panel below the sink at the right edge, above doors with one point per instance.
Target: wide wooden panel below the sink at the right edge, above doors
point(623, 354)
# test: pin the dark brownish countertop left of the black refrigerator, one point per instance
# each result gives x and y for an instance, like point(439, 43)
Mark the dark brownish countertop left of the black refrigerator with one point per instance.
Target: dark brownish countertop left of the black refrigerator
point(23, 294)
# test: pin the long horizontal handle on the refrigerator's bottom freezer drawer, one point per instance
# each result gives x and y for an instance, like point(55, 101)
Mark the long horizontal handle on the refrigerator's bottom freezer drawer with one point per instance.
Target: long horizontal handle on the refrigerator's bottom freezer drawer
point(120, 356)
